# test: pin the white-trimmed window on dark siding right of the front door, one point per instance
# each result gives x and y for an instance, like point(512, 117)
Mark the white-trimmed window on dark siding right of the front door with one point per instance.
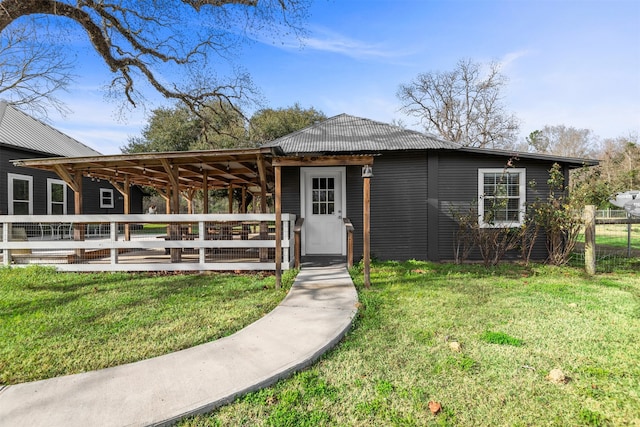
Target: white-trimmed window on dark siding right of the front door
point(501, 197)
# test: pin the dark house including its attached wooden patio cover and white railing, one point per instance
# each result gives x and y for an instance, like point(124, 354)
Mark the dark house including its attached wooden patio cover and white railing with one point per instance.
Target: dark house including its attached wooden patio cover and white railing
point(398, 189)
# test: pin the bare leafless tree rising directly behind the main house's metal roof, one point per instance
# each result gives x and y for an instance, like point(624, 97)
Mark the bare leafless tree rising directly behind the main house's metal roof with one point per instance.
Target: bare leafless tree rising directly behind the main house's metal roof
point(463, 105)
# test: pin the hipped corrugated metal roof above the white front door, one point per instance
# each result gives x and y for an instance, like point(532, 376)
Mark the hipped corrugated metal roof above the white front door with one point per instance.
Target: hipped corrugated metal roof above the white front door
point(349, 134)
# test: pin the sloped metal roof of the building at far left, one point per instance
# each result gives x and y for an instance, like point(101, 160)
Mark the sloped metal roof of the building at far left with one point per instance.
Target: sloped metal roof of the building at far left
point(21, 130)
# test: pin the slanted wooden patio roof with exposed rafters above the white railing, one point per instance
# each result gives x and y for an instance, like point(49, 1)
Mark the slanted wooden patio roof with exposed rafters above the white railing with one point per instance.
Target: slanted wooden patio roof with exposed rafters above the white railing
point(172, 174)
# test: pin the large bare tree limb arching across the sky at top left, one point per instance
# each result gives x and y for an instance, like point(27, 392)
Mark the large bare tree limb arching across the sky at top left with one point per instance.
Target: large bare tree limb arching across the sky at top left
point(148, 42)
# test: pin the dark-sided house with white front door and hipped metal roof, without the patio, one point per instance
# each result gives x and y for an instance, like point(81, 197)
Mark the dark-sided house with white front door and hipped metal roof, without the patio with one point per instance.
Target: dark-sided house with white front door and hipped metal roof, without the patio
point(418, 182)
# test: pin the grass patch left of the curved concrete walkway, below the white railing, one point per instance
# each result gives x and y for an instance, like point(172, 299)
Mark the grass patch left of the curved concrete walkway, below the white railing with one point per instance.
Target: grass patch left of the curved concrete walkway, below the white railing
point(54, 324)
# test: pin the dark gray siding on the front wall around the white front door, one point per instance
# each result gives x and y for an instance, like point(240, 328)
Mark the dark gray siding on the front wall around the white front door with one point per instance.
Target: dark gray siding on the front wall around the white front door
point(413, 199)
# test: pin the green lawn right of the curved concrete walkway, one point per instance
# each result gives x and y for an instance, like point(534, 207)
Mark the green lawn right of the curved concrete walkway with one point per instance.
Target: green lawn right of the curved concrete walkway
point(512, 326)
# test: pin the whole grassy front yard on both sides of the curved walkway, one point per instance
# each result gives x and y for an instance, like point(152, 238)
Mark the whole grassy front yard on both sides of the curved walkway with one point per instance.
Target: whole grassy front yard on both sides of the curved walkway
point(481, 343)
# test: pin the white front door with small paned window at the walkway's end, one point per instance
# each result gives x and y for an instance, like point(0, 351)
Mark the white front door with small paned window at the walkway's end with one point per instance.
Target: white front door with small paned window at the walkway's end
point(322, 206)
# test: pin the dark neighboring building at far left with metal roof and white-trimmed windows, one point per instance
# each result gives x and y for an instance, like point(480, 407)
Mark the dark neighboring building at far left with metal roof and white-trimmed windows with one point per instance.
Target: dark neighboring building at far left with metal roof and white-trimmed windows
point(27, 191)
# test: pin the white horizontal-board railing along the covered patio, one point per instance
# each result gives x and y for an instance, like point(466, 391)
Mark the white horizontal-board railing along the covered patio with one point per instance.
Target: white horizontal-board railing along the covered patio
point(223, 242)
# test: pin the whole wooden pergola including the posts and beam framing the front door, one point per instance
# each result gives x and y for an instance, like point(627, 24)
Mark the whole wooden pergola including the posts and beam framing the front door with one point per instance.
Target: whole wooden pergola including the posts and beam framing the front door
point(183, 173)
